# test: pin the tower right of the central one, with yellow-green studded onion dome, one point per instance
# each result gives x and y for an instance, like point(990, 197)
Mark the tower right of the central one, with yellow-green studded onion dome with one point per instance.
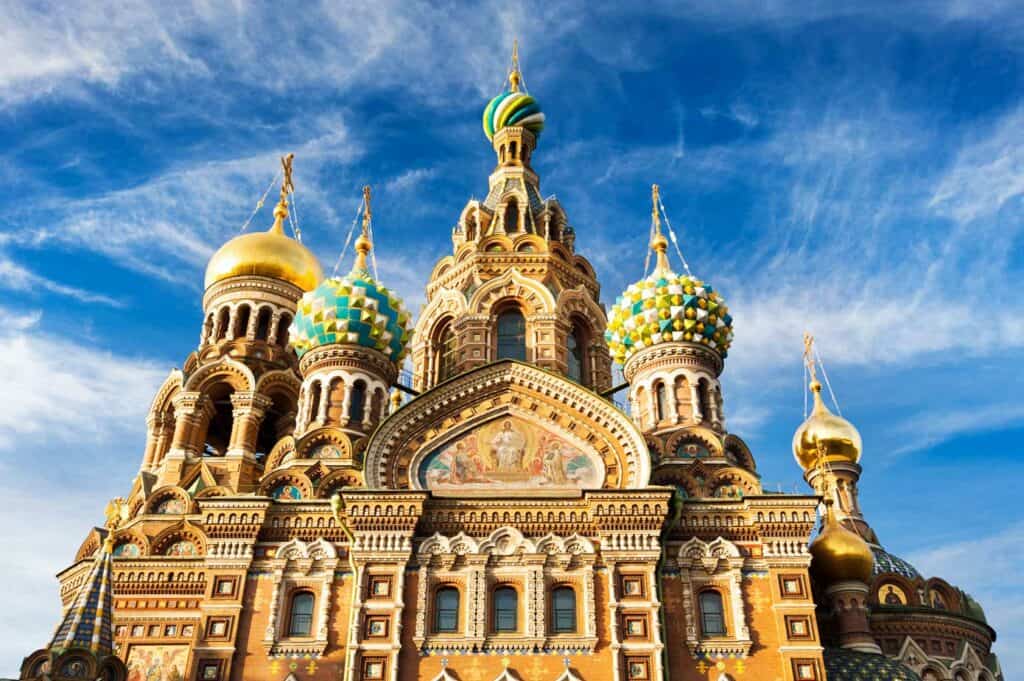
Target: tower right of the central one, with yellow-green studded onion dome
point(672, 334)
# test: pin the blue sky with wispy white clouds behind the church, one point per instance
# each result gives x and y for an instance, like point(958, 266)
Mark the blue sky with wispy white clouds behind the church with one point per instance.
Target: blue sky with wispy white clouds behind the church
point(859, 174)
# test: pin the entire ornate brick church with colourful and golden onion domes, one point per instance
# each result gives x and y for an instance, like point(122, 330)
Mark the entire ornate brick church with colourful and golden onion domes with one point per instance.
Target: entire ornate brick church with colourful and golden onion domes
point(295, 519)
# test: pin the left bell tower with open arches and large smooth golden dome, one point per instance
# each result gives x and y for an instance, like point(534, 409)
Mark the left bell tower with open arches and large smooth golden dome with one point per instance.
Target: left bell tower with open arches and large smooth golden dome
point(236, 395)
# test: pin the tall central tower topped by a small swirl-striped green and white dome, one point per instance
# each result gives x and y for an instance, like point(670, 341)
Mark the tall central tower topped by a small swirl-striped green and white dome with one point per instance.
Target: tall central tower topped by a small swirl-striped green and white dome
point(514, 288)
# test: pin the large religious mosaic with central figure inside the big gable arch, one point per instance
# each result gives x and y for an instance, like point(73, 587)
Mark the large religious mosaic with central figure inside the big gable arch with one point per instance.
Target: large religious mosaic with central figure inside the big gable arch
point(510, 452)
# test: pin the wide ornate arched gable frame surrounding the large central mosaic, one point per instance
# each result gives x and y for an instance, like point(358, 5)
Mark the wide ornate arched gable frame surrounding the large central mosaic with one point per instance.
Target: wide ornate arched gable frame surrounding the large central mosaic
point(506, 390)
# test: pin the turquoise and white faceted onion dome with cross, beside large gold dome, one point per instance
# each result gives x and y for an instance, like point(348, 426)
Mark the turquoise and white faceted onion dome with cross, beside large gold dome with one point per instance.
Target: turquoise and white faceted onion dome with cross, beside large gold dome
point(355, 310)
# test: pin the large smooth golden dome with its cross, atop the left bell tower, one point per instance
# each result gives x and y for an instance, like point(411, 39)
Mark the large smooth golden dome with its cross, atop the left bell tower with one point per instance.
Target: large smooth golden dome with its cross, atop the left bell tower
point(270, 253)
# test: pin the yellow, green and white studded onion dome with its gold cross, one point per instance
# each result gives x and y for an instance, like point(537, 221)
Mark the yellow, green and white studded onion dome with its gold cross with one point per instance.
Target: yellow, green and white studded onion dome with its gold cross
point(667, 308)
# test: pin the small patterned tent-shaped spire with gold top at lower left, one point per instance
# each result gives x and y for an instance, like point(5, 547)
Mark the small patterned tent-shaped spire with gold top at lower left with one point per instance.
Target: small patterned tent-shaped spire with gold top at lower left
point(88, 624)
